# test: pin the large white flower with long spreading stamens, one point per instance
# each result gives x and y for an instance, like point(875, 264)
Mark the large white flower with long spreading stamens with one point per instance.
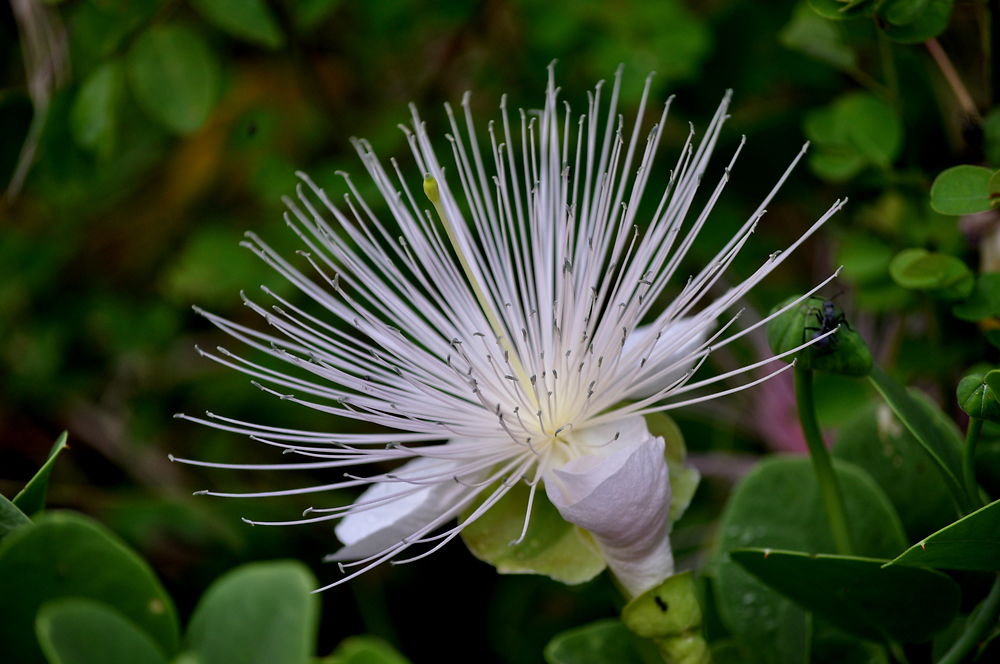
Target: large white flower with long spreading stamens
point(497, 339)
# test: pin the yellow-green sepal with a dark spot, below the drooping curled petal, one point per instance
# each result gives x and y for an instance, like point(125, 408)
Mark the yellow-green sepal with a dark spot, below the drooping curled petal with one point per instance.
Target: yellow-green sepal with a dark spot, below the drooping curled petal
point(670, 616)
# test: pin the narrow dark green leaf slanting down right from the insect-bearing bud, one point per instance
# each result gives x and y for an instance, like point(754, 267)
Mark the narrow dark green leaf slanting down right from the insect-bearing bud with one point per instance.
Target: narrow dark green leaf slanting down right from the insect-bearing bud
point(942, 450)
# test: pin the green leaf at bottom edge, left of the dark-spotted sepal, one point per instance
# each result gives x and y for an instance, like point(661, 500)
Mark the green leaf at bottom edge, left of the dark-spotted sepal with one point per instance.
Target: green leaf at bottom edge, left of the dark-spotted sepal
point(601, 642)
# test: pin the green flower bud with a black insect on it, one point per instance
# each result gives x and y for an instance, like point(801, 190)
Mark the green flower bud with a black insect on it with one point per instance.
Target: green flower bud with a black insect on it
point(843, 351)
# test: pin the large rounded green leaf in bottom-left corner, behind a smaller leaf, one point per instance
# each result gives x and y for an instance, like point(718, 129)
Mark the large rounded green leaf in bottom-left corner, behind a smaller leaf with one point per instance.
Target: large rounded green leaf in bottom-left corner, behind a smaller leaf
point(65, 555)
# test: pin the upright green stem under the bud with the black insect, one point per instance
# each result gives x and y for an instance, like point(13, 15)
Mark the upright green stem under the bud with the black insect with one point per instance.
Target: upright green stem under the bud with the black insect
point(833, 499)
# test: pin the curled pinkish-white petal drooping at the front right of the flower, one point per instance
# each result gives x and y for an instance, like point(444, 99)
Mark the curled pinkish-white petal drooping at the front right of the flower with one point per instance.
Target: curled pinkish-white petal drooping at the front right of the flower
point(622, 497)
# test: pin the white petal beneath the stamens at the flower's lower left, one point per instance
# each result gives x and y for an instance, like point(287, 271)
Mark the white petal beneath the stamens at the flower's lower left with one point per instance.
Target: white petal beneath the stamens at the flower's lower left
point(367, 532)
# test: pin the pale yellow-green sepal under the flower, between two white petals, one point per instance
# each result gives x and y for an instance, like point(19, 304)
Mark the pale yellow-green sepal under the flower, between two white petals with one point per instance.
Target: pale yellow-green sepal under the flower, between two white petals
point(552, 546)
